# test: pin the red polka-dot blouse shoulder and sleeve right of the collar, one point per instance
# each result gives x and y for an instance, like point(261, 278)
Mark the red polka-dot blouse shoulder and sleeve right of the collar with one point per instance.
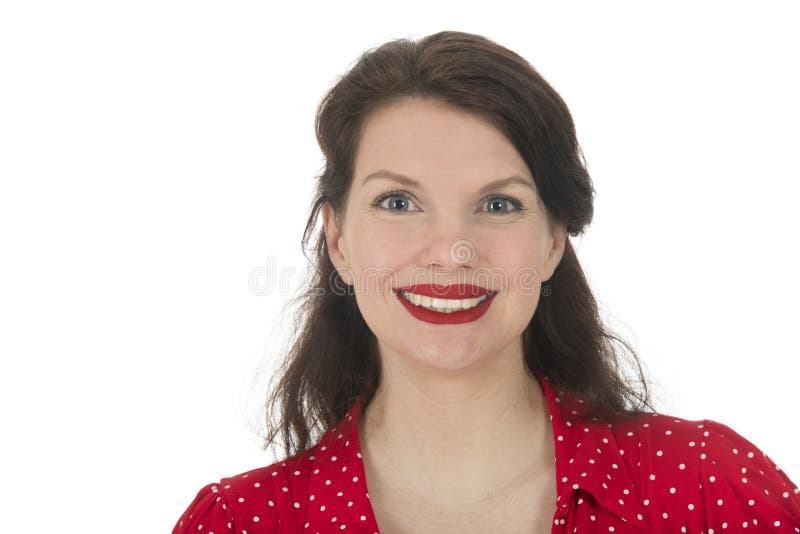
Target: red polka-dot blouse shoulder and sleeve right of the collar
point(703, 473)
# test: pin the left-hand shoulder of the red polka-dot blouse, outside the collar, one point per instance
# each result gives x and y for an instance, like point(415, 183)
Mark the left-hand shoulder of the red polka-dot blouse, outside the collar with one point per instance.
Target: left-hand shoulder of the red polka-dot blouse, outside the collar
point(262, 500)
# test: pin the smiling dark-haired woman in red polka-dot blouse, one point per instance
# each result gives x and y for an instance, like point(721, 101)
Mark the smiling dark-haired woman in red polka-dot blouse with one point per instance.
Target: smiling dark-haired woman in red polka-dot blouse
point(452, 352)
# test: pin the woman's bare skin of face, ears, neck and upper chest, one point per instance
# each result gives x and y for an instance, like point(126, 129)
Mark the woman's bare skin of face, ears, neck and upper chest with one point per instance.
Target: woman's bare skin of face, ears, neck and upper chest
point(457, 425)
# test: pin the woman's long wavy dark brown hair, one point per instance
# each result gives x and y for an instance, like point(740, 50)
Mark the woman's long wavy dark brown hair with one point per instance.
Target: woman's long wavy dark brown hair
point(334, 358)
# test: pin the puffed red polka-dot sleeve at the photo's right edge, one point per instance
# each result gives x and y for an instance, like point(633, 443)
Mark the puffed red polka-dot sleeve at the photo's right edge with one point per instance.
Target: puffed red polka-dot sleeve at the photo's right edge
point(742, 487)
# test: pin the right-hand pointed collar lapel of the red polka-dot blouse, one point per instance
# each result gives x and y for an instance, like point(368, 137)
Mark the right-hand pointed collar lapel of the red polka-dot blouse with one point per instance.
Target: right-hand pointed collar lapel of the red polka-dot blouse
point(588, 457)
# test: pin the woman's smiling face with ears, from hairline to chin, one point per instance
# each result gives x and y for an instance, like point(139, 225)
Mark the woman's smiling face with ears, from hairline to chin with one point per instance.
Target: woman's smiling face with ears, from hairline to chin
point(451, 228)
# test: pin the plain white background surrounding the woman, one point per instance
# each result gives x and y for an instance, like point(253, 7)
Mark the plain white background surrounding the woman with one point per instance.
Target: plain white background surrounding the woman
point(153, 154)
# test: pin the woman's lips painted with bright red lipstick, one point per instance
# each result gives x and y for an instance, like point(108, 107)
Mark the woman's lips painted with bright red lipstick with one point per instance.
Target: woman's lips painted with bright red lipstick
point(455, 291)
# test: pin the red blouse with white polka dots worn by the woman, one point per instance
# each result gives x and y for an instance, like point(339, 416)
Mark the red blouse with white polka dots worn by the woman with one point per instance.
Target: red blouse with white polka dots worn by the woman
point(656, 474)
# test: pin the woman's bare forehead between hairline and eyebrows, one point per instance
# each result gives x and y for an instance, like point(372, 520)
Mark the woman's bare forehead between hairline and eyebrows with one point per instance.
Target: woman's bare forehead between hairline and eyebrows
point(423, 137)
